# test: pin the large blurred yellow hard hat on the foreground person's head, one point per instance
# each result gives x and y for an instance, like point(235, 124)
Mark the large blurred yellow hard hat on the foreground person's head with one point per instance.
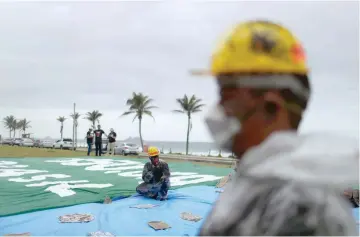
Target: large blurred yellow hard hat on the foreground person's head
point(258, 47)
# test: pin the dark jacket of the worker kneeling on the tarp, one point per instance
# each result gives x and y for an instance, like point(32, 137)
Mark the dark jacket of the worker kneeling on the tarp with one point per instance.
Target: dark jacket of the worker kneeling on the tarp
point(152, 174)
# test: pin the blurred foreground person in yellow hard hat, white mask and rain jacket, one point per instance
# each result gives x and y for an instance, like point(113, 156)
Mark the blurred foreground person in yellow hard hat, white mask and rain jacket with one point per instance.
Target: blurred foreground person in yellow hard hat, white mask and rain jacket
point(285, 183)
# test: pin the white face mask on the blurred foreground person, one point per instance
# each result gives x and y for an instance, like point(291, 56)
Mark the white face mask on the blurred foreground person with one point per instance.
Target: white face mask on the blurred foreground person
point(222, 127)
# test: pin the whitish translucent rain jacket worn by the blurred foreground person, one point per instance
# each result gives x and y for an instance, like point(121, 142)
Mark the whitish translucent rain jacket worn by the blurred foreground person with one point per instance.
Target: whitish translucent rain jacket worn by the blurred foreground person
point(289, 185)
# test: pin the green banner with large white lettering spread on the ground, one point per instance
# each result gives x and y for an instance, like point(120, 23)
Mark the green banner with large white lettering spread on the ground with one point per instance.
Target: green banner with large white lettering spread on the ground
point(30, 184)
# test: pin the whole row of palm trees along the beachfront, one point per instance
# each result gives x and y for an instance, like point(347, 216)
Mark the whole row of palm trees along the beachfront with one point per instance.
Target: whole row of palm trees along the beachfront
point(139, 105)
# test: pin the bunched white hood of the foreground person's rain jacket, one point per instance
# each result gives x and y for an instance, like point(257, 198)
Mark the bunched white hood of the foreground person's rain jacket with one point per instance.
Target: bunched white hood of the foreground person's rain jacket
point(316, 159)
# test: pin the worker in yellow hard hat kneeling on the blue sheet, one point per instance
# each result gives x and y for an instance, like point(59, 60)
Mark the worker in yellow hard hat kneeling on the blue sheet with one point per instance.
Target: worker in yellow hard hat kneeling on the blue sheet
point(156, 176)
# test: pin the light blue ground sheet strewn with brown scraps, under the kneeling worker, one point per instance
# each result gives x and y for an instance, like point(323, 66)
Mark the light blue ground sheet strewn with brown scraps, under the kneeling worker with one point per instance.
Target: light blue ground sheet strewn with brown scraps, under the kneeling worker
point(119, 219)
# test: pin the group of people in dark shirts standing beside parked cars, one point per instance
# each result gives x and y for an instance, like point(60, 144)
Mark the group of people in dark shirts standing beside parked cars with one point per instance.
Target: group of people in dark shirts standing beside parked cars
point(97, 136)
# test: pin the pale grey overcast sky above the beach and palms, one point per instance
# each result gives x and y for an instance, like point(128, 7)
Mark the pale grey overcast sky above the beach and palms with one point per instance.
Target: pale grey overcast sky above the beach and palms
point(96, 54)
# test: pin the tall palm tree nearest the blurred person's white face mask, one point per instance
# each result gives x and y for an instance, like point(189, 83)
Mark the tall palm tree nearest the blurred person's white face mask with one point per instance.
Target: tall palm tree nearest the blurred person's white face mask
point(188, 107)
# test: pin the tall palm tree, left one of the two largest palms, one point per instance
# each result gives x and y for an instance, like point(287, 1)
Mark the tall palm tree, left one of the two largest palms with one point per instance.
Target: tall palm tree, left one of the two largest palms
point(139, 105)
